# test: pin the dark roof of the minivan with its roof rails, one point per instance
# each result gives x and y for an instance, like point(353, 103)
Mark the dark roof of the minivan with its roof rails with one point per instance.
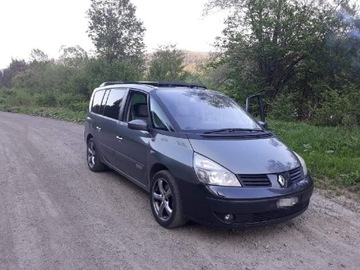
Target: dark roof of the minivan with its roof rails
point(150, 85)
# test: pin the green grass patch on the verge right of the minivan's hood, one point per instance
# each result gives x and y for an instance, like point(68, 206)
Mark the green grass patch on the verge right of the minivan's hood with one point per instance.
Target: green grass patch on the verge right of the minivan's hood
point(332, 154)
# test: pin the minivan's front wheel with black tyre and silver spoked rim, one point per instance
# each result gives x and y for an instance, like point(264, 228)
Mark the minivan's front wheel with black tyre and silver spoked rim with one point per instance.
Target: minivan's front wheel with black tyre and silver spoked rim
point(165, 200)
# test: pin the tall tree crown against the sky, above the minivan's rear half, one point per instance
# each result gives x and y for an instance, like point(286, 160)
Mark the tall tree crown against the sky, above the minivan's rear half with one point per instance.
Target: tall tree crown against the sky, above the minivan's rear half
point(115, 30)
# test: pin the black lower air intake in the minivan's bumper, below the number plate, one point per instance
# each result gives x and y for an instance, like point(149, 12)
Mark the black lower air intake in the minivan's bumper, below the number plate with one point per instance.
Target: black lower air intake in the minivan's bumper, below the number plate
point(270, 215)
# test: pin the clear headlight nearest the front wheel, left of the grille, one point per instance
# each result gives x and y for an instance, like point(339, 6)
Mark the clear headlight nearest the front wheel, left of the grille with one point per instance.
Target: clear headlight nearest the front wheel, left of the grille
point(209, 172)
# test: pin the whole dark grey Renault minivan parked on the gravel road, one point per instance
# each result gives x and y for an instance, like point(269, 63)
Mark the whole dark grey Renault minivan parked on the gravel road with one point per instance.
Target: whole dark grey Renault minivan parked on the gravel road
point(200, 155)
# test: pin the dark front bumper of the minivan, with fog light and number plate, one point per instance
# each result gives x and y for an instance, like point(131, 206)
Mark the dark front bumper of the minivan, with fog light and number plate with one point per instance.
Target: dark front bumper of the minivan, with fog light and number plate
point(248, 206)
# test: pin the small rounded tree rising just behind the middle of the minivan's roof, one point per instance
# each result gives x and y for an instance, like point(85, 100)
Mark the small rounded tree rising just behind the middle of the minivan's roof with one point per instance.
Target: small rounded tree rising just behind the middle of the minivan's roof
point(167, 64)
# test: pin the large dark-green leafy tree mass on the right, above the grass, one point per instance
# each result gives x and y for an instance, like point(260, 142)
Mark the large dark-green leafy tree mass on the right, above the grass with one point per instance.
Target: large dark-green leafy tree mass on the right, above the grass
point(291, 50)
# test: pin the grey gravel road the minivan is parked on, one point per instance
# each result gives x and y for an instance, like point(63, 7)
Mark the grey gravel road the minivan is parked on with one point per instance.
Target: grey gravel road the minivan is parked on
point(56, 214)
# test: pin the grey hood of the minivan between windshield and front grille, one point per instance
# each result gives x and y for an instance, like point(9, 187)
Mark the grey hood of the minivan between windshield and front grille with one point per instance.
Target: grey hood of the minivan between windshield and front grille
point(248, 156)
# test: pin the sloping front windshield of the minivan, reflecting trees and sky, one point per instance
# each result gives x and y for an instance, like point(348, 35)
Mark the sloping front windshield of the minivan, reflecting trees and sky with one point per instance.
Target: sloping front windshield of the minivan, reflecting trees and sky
point(205, 110)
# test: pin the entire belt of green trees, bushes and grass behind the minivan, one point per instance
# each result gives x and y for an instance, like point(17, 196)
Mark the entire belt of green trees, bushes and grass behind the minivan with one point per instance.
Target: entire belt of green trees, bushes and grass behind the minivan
point(302, 56)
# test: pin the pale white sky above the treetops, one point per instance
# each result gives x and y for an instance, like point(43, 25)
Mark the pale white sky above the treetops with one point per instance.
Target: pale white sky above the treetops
point(49, 24)
